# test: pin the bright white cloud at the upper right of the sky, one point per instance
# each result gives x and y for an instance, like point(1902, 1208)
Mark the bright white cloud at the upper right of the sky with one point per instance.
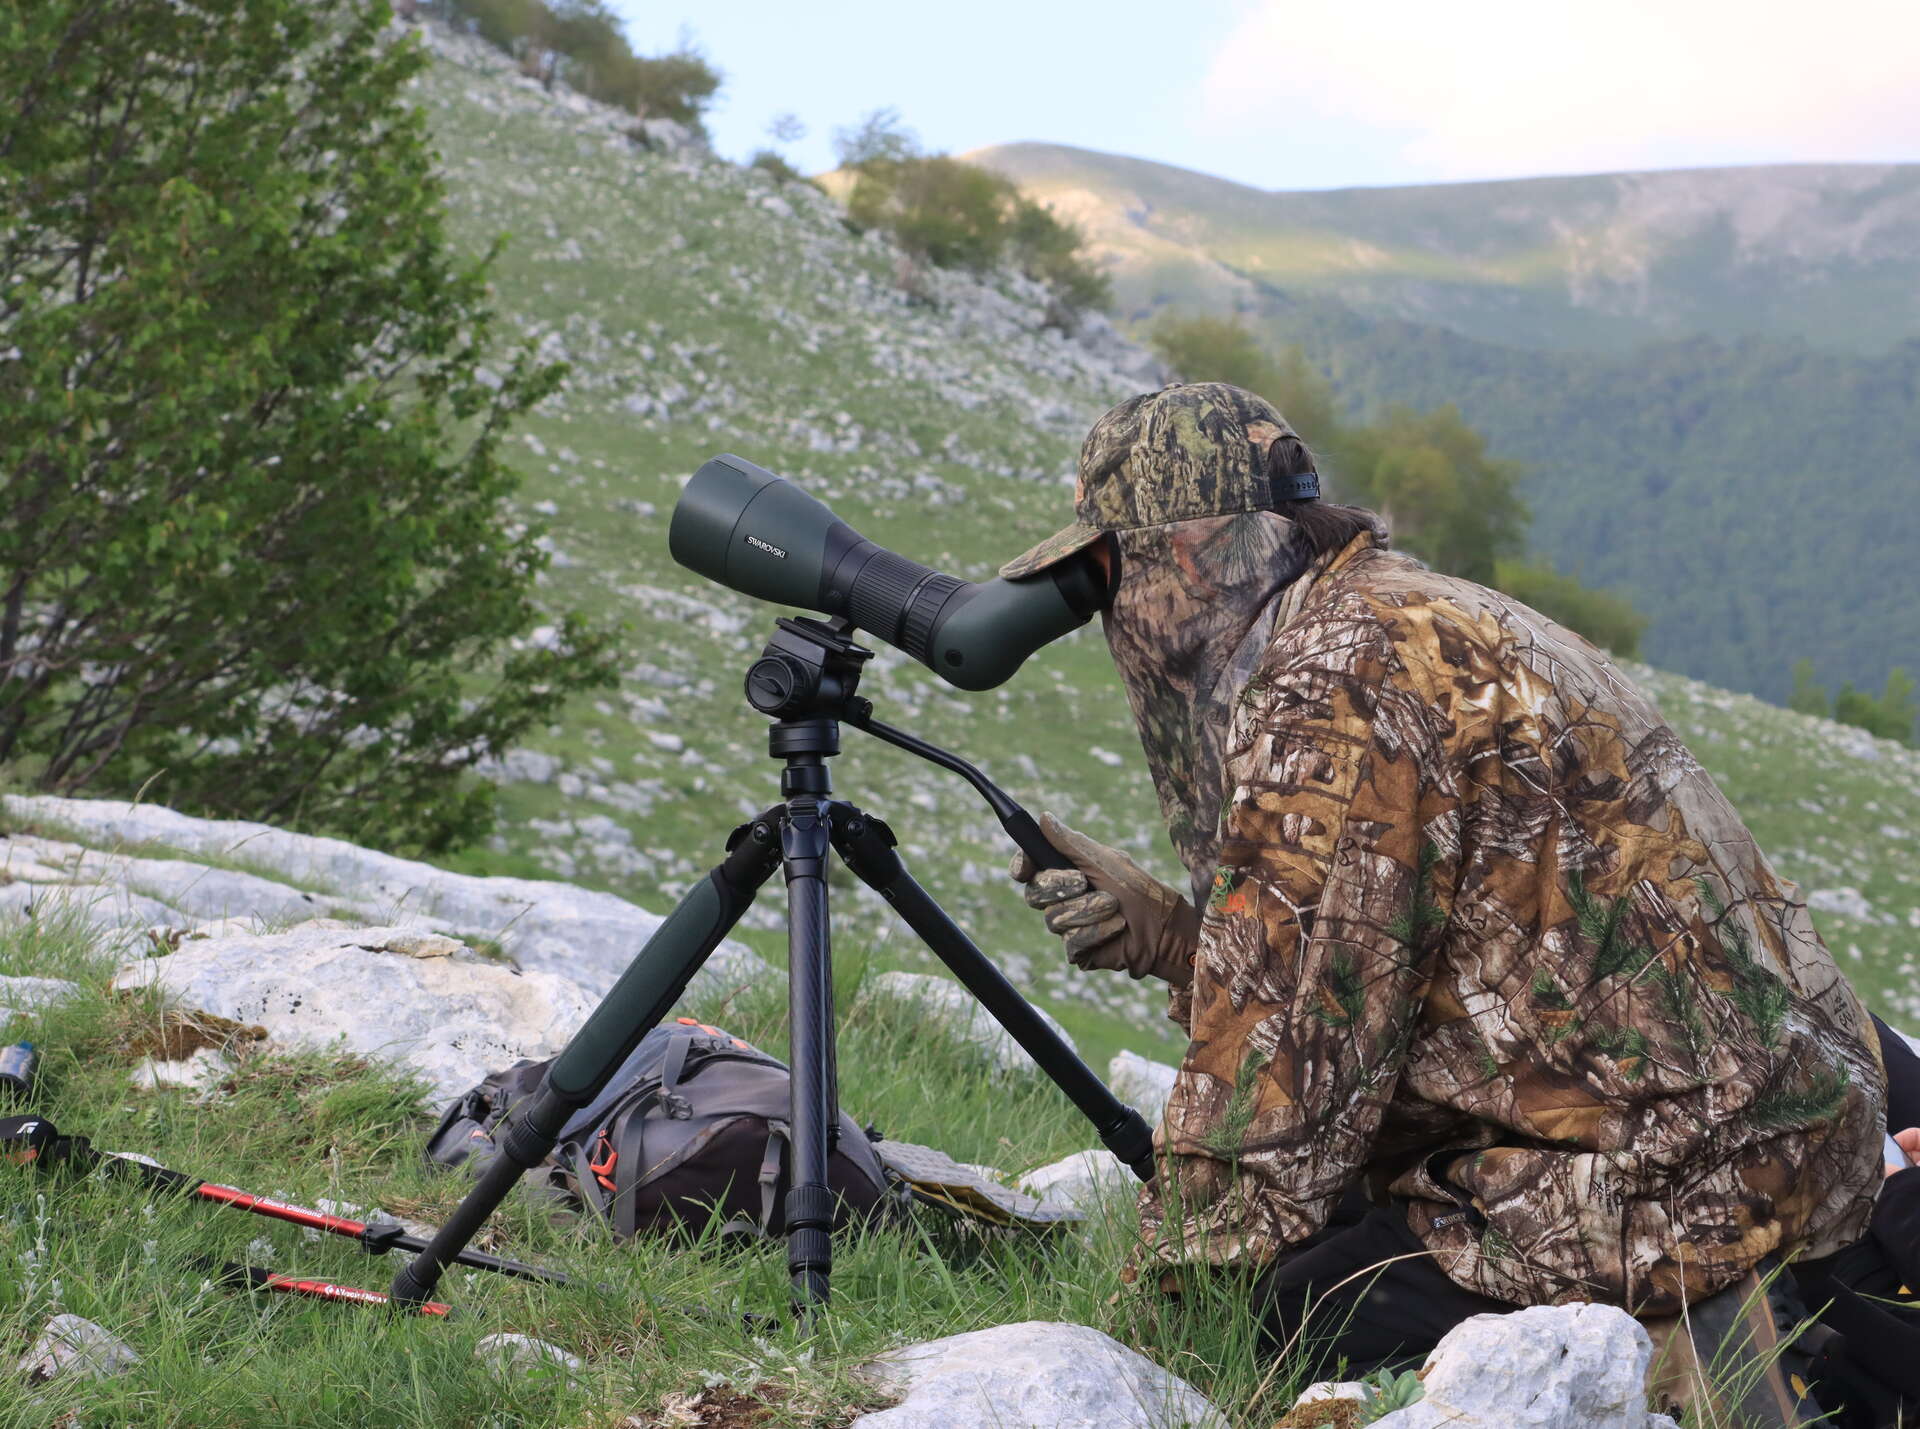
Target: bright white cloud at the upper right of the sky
point(1518, 87)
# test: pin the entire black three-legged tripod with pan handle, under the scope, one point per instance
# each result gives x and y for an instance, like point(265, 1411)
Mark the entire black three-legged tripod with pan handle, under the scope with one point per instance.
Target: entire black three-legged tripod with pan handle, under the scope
point(807, 681)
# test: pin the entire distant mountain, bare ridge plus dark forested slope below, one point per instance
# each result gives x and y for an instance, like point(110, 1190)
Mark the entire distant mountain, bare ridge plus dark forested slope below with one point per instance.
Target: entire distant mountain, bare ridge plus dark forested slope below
point(1694, 368)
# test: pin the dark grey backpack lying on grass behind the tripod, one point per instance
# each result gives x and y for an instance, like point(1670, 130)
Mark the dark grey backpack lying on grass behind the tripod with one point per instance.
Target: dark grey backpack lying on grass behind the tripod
point(694, 1126)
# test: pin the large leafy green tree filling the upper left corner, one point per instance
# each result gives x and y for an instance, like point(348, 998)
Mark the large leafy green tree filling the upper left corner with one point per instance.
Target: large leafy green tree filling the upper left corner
point(256, 543)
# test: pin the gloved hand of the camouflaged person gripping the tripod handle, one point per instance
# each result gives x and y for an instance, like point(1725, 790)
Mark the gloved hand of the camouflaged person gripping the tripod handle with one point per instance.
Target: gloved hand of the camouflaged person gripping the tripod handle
point(1111, 911)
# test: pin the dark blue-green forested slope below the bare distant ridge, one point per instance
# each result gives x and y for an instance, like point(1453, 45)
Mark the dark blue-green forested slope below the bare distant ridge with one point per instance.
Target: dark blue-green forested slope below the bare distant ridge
point(1754, 498)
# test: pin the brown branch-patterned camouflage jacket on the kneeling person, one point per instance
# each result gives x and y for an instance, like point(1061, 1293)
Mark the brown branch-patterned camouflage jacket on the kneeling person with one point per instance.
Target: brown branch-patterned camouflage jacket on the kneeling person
point(1487, 936)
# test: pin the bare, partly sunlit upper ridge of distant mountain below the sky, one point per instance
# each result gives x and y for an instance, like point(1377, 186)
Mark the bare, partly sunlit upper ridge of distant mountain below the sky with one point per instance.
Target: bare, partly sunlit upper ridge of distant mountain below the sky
point(1829, 253)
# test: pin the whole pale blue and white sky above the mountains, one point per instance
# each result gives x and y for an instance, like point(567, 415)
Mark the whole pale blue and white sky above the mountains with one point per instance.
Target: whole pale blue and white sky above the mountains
point(1324, 93)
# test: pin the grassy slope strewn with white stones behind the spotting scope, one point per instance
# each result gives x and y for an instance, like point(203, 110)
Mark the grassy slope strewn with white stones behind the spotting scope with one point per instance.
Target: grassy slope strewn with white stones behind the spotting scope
point(704, 312)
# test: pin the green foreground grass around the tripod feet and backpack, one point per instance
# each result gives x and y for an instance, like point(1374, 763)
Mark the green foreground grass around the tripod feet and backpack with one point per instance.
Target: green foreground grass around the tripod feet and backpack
point(650, 1320)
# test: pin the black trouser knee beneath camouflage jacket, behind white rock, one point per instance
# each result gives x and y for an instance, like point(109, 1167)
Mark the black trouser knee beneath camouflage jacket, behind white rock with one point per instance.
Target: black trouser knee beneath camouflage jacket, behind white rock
point(1378, 1319)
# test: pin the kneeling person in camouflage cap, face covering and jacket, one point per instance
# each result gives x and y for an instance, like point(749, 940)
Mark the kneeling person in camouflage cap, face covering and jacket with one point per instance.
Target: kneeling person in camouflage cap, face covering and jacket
point(1493, 1000)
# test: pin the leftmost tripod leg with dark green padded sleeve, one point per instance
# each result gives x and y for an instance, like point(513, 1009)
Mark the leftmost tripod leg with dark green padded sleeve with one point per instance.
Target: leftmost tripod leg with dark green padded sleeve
point(650, 986)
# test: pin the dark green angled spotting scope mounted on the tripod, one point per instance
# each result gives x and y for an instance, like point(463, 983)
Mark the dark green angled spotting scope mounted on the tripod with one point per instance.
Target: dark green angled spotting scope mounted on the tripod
point(761, 535)
